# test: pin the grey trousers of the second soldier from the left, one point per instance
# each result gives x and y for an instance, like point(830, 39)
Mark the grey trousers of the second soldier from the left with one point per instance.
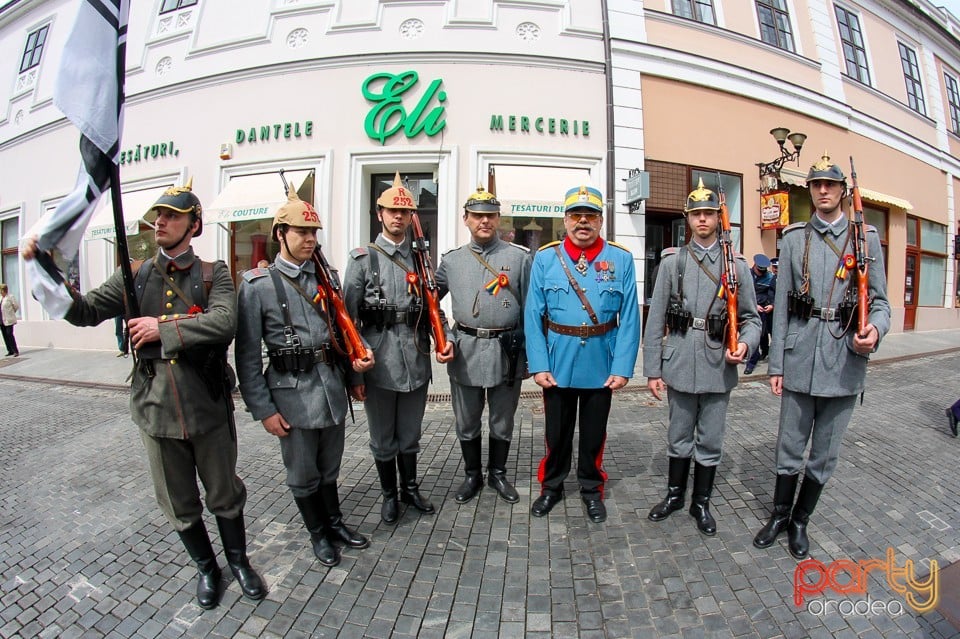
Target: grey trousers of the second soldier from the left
point(312, 457)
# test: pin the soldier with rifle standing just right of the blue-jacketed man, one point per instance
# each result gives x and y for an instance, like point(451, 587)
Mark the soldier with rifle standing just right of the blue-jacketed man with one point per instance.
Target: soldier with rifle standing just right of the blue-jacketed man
point(685, 350)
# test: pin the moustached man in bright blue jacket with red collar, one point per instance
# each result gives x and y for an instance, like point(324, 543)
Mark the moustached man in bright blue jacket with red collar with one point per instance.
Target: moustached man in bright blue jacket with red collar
point(582, 328)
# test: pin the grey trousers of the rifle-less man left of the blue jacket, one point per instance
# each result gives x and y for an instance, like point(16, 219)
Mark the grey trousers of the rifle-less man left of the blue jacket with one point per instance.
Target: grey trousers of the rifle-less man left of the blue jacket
point(501, 404)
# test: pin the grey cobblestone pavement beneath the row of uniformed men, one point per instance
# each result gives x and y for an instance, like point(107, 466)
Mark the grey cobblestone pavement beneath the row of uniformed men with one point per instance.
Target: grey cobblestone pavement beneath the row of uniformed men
point(84, 551)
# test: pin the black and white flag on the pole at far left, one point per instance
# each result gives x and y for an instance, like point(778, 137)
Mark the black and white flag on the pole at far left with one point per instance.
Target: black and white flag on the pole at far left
point(89, 91)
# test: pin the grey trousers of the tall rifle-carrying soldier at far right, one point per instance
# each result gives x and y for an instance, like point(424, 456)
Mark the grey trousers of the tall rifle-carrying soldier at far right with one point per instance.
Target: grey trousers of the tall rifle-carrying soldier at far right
point(820, 420)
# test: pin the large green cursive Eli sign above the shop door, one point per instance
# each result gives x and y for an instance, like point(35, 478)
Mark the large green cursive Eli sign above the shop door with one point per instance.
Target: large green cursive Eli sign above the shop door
point(389, 116)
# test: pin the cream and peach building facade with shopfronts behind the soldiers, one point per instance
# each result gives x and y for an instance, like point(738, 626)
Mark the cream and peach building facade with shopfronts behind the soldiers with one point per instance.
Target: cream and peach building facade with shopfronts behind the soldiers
point(534, 96)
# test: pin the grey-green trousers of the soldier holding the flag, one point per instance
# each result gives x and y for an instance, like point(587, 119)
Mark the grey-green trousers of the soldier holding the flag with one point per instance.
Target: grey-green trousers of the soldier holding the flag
point(175, 465)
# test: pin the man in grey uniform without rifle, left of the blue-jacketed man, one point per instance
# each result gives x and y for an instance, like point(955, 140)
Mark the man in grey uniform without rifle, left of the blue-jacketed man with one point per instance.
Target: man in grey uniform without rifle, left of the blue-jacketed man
point(487, 280)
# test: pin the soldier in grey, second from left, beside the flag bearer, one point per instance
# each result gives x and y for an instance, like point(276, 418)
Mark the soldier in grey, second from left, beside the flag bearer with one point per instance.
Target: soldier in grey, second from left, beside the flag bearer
point(301, 397)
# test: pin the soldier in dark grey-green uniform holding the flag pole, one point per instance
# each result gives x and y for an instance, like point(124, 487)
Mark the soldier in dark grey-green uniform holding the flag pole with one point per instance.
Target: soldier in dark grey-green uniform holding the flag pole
point(180, 391)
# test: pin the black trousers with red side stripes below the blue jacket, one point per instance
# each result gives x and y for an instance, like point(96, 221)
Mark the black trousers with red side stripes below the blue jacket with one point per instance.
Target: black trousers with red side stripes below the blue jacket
point(562, 406)
